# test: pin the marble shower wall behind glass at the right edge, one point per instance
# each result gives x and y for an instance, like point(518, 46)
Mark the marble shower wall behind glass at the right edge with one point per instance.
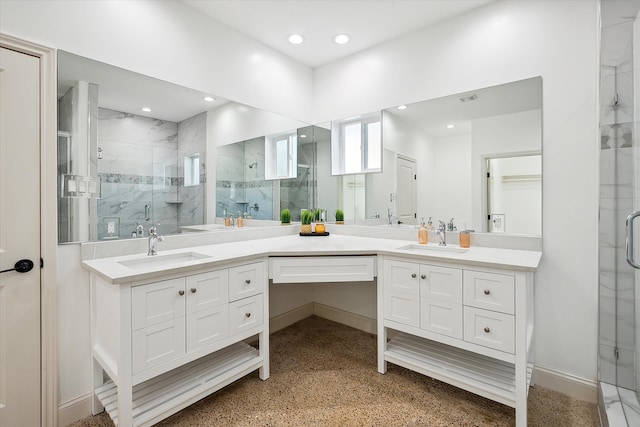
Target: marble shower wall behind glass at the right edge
point(617, 278)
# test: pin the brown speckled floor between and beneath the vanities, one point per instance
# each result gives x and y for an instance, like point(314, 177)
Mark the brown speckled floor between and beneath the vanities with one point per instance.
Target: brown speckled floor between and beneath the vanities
point(324, 374)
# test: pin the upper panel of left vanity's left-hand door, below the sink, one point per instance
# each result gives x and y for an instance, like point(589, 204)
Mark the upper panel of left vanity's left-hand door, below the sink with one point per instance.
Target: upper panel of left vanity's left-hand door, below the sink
point(157, 302)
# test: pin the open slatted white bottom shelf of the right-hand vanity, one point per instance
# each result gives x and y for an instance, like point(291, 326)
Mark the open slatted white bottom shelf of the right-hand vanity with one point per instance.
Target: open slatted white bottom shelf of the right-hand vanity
point(479, 374)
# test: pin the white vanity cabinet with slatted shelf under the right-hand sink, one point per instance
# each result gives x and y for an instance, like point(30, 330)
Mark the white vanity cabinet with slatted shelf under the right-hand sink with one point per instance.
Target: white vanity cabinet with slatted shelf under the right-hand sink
point(466, 325)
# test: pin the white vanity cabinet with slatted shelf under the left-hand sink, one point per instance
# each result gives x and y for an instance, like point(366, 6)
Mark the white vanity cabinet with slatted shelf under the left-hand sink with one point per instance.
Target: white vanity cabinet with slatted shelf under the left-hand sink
point(167, 343)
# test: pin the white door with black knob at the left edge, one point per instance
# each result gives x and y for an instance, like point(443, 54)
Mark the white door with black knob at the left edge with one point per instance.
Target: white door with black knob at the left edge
point(19, 239)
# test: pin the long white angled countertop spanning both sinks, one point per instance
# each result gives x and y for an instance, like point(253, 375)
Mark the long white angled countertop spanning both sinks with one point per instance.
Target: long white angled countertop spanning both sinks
point(217, 254)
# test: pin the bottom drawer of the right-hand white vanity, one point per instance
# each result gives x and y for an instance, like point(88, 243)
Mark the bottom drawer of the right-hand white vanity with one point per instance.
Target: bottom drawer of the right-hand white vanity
point(489, 329)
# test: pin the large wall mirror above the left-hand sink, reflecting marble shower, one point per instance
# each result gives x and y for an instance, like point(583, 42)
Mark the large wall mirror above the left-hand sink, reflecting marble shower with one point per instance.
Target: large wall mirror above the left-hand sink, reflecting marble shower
point(122, 169)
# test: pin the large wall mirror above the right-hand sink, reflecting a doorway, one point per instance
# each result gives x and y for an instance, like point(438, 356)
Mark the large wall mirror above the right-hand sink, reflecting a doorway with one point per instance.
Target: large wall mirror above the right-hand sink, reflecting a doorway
point(474, 157)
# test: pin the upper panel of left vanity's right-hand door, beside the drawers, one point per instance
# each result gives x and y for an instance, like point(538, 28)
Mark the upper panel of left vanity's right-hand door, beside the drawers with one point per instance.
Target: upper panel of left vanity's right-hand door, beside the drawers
point(207, 290)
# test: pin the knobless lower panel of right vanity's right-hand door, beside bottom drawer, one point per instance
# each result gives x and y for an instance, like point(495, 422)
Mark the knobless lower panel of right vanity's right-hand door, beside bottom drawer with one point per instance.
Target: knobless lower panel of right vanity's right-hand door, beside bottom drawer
point(442, 317)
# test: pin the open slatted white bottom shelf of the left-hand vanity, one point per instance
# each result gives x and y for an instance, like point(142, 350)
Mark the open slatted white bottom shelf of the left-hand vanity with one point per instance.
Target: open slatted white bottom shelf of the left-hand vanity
point(162, 396)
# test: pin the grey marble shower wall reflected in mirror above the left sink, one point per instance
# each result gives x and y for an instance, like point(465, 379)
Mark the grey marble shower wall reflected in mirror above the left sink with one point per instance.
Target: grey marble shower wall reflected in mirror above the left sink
point(140, 169)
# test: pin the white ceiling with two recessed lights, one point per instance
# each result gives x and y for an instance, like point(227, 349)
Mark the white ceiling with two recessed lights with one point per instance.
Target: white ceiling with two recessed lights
point(369, 22)
